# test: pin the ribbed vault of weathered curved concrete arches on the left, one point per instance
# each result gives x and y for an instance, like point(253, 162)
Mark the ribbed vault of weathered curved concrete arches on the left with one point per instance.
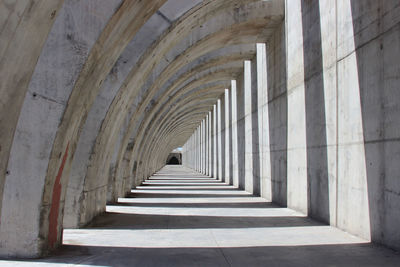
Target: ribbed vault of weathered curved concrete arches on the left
point(149, 72)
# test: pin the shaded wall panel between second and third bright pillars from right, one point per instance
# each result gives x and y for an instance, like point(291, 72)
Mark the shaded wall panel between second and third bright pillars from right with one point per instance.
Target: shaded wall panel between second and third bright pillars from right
point(275, 127)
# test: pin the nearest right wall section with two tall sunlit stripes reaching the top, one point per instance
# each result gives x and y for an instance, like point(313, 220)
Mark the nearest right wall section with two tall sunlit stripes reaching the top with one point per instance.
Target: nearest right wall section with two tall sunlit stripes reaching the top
point(341, 115)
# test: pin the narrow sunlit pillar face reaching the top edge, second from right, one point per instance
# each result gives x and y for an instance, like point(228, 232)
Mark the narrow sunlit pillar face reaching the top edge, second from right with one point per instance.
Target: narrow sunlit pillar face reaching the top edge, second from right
point(297, 141)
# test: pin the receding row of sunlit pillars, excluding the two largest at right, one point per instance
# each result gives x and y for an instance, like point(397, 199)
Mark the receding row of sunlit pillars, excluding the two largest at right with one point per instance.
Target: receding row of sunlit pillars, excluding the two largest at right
point(229, 144)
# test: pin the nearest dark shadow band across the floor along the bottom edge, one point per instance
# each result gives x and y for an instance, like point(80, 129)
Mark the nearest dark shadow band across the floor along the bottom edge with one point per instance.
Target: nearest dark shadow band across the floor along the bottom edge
point(316, 255)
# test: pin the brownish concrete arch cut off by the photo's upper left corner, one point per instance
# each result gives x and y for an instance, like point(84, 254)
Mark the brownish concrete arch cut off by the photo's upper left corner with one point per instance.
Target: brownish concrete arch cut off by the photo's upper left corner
point(28, 23)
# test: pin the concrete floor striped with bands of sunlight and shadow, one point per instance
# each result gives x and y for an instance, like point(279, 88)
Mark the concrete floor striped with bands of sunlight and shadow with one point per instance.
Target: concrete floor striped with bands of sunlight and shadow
point(181, 218)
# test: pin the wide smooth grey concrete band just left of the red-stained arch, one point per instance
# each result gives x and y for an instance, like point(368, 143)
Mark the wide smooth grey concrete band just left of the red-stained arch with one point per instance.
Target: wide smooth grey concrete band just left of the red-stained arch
point(64, 53)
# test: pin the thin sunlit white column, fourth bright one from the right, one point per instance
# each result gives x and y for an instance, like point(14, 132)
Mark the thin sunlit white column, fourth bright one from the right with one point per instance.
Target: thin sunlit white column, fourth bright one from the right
point(248, 128)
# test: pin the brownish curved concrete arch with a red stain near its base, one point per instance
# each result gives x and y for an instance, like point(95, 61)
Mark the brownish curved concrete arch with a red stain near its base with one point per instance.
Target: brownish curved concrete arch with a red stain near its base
point(114, 38)
